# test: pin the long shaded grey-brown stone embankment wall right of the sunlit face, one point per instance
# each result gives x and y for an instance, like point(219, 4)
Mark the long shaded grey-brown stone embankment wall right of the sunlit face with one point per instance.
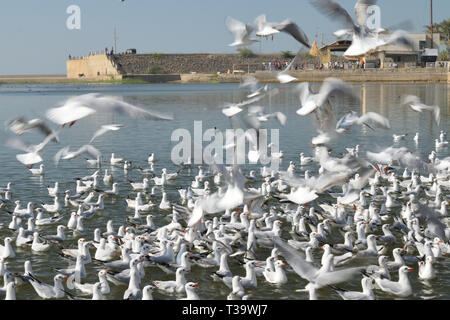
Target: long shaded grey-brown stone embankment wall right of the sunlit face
point(201, 63)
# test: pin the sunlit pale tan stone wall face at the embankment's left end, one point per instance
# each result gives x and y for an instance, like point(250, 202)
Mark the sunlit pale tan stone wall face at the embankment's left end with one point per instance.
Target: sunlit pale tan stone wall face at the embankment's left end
point(92, 67)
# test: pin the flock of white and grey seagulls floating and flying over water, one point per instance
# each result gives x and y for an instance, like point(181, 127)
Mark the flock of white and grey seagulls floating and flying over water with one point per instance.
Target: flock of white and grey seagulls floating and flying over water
point(328, 219)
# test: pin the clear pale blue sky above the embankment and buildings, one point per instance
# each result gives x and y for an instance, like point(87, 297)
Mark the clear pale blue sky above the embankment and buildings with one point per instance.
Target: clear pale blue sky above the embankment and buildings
point(35, 38)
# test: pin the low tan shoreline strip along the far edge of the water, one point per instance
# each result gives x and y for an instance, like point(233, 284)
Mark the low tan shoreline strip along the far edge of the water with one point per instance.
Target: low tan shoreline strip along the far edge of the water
point(370, 75)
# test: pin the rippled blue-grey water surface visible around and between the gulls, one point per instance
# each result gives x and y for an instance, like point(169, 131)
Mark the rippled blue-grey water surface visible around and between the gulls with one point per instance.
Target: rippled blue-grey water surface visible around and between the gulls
point(190, 102)
